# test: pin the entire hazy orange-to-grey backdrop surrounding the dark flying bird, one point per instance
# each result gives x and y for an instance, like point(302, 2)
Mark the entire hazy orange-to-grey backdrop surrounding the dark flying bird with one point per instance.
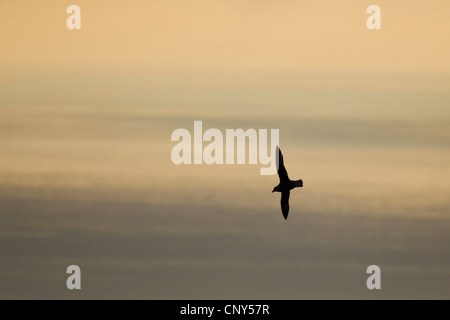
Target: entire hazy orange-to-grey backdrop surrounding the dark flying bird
point(86, 176)
